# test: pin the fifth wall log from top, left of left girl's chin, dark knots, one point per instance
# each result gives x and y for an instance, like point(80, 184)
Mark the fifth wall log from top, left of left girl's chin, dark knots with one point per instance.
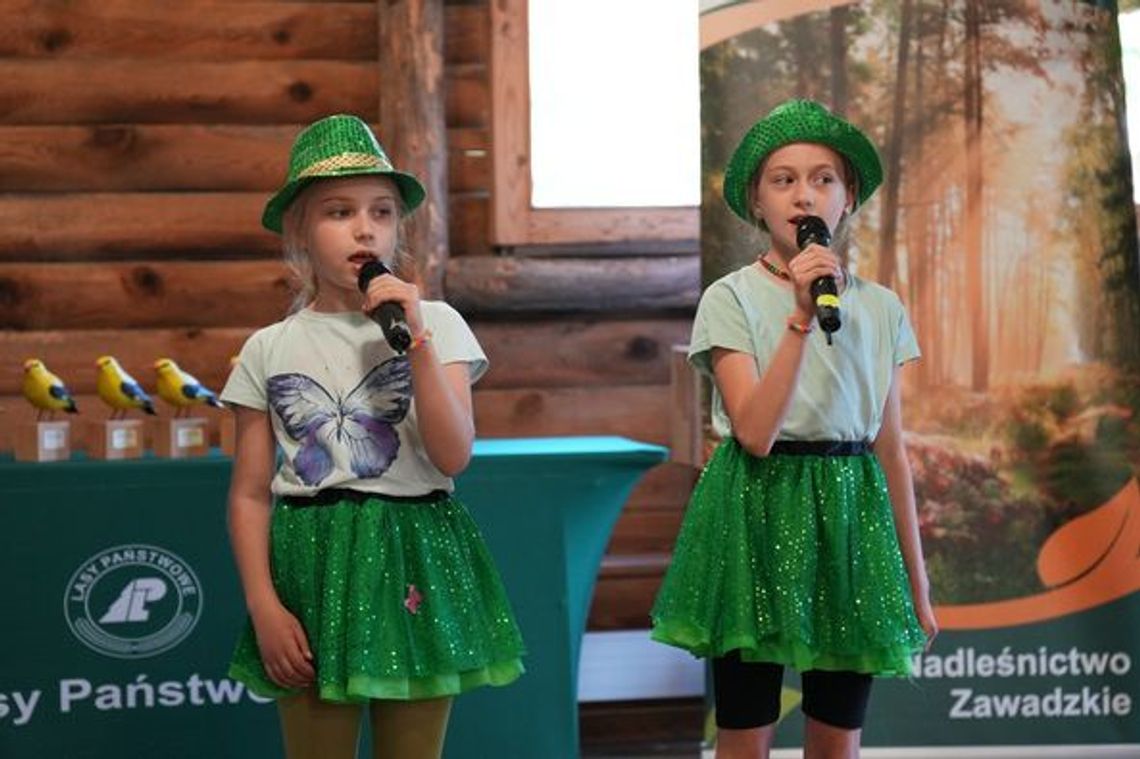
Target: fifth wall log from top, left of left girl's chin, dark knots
point(139, 296)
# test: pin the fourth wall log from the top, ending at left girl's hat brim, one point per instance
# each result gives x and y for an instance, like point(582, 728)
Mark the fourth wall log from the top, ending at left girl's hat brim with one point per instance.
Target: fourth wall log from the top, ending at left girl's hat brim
point(109, 226)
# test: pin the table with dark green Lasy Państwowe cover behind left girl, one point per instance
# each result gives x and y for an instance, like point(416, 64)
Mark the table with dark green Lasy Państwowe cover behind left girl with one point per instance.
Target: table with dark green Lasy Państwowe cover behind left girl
point(123, 603)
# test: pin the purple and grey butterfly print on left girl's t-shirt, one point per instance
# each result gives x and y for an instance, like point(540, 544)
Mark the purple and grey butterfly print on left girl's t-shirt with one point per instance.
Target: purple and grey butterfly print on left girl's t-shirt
point(361, 423)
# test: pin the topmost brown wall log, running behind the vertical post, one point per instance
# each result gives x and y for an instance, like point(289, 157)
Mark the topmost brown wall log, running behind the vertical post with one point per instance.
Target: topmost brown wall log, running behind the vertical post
point(251, 31)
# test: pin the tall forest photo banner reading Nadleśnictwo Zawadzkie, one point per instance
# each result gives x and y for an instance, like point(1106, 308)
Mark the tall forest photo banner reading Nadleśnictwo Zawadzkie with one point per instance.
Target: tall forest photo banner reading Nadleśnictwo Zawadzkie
point(1006, 224)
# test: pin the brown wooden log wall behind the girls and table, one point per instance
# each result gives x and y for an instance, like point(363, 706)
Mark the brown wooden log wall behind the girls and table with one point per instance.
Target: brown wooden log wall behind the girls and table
point(139, 143)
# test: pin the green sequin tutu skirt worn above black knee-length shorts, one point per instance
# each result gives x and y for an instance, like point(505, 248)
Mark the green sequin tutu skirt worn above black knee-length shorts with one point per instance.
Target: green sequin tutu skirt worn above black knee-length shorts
point(793, 560)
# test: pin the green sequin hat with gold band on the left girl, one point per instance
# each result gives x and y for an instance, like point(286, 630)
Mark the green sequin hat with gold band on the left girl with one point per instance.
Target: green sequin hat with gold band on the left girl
point(333, 148)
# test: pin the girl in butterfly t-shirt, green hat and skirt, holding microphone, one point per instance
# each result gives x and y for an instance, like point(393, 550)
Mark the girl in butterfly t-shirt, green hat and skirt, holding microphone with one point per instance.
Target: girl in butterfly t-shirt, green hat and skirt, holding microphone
point(367, 582)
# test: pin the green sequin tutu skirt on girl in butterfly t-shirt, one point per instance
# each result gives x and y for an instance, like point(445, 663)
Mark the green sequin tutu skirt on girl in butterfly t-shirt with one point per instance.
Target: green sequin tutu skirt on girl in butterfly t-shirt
point(400, 601)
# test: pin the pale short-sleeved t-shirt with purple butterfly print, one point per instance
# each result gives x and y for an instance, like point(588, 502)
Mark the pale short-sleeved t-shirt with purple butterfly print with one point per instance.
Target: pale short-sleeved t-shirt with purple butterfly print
point(340, 401)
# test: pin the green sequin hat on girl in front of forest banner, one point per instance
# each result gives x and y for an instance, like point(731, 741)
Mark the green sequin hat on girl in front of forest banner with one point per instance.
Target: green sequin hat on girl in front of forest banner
point(800, 121)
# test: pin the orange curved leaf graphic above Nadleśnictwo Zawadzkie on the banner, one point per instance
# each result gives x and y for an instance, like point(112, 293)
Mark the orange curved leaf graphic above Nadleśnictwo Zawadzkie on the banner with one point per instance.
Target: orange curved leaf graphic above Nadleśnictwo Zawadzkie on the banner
point(1092, 561)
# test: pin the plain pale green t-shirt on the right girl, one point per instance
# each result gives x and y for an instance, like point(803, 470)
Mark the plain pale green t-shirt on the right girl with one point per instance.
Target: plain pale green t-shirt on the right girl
point(842, 388)
